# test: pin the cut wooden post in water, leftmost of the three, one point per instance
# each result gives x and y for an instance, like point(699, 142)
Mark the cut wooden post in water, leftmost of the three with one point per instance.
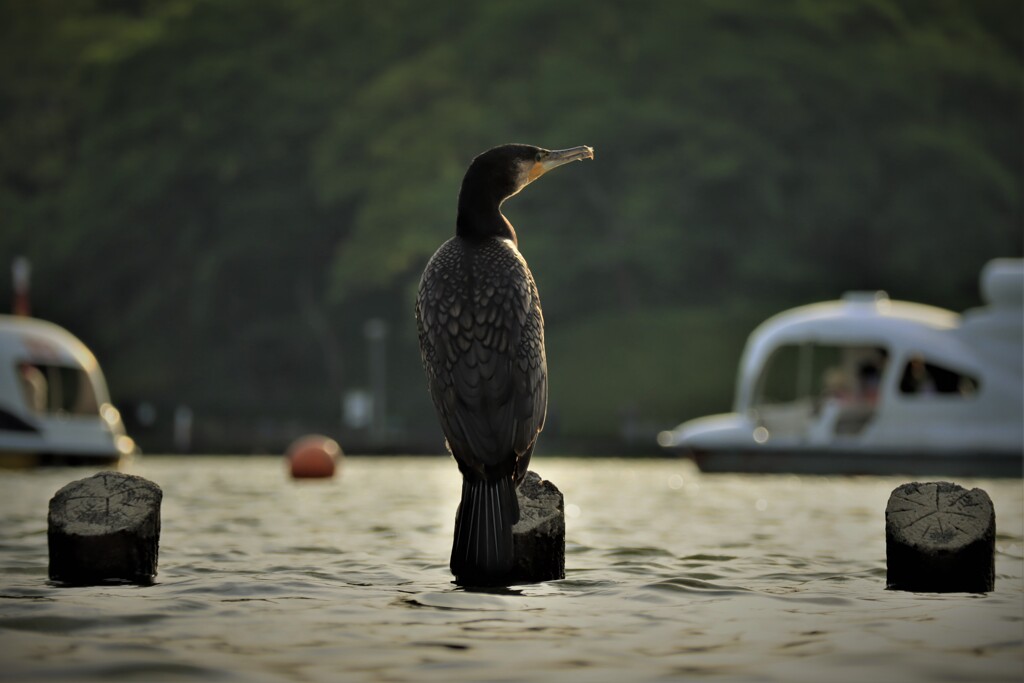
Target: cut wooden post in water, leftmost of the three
point(105, 529)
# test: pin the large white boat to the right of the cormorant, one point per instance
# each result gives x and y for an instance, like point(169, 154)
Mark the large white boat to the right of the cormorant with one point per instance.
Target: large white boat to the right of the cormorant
point(868, 386)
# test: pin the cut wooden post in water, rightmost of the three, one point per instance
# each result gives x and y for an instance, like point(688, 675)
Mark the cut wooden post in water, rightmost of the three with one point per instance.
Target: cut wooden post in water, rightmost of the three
point(941, 538)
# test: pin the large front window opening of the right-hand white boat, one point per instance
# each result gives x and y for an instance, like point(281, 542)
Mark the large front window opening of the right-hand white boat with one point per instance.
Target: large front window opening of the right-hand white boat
point(809, 388)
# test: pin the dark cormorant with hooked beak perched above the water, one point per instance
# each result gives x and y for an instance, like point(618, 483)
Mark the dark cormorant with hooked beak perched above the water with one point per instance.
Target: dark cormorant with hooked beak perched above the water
point(482, 341)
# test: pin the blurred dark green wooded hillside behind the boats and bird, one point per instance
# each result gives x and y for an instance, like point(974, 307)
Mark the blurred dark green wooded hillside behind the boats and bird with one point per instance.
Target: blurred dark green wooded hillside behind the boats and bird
point(218, 195)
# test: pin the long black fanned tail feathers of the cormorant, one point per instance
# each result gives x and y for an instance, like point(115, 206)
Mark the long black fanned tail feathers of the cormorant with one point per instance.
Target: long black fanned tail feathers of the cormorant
point(482, 554)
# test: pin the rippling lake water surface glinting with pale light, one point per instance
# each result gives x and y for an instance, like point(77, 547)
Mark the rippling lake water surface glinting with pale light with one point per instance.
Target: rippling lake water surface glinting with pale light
point(670, 575)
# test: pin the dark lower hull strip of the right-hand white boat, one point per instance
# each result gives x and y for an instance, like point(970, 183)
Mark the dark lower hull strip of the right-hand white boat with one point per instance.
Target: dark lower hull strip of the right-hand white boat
point(794, 461)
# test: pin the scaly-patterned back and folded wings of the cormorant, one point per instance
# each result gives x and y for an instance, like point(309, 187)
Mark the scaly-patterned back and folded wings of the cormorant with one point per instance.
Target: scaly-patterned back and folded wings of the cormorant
point(482, 337)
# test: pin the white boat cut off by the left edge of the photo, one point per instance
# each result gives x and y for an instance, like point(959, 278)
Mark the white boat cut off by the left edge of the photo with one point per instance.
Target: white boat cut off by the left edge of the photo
point(55, 407)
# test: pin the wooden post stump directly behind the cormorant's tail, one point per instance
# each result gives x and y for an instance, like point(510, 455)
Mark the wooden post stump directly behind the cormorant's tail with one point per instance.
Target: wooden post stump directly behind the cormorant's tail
point(539, 537)
